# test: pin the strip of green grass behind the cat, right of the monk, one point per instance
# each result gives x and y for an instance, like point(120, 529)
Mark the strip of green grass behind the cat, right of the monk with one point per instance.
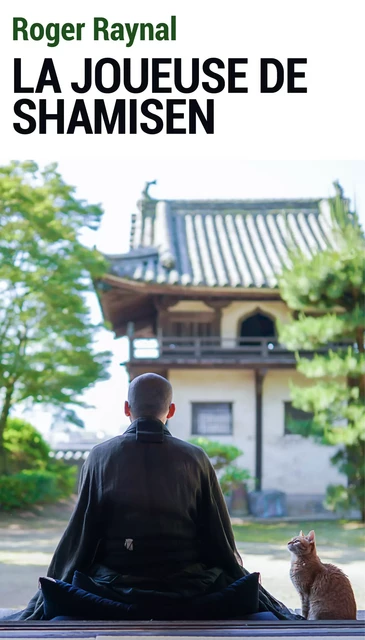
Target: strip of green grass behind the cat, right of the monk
point(334, 533)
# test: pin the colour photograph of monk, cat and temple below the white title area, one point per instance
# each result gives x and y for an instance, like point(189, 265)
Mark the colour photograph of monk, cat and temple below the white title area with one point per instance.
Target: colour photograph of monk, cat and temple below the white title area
point(246, 312)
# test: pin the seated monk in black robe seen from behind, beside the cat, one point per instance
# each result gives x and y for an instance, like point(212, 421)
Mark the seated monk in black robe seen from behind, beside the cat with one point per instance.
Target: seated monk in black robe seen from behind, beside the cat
point(150, 519)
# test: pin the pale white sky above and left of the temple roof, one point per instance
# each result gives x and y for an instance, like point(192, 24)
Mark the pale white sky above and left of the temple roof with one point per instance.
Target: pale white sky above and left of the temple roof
point(117, 184)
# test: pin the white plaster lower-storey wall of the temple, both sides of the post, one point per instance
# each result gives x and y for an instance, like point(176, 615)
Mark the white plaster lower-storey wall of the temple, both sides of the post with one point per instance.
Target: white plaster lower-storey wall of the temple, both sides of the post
point(291, 463)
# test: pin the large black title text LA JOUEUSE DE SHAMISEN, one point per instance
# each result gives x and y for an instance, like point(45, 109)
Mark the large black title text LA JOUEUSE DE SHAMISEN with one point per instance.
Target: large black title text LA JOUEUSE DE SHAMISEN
point(121, 108)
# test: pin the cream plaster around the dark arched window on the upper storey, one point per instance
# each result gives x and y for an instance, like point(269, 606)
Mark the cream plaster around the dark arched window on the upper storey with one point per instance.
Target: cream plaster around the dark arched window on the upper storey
point(233, 315)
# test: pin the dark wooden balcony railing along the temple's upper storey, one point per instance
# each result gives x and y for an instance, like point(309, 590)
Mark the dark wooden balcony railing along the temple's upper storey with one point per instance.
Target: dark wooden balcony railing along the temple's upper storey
point(173, 349)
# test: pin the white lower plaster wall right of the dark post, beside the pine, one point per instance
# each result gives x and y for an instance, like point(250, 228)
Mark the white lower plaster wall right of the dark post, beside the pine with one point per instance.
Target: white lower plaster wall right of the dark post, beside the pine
point(291, 463)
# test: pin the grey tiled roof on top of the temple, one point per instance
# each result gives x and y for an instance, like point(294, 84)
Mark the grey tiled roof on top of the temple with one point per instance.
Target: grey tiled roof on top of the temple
point(220, 243)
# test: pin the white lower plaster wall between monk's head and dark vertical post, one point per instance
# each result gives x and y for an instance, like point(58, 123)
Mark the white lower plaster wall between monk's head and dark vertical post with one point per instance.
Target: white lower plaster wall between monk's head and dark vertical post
point(202, 385)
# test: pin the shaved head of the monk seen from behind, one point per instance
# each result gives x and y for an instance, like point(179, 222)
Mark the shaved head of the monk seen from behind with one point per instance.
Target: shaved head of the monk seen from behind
point(149, 395)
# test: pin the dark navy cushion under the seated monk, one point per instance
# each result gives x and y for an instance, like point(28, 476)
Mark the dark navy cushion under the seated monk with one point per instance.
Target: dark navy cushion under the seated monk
point(236, 600)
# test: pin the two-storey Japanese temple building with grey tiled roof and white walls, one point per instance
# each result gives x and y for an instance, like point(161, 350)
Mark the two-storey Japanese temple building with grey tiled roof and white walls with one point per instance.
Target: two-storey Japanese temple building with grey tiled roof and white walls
point(197, 297)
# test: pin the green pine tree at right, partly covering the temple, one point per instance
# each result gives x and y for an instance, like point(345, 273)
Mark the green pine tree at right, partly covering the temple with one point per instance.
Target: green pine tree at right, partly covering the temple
point(332, 284)
